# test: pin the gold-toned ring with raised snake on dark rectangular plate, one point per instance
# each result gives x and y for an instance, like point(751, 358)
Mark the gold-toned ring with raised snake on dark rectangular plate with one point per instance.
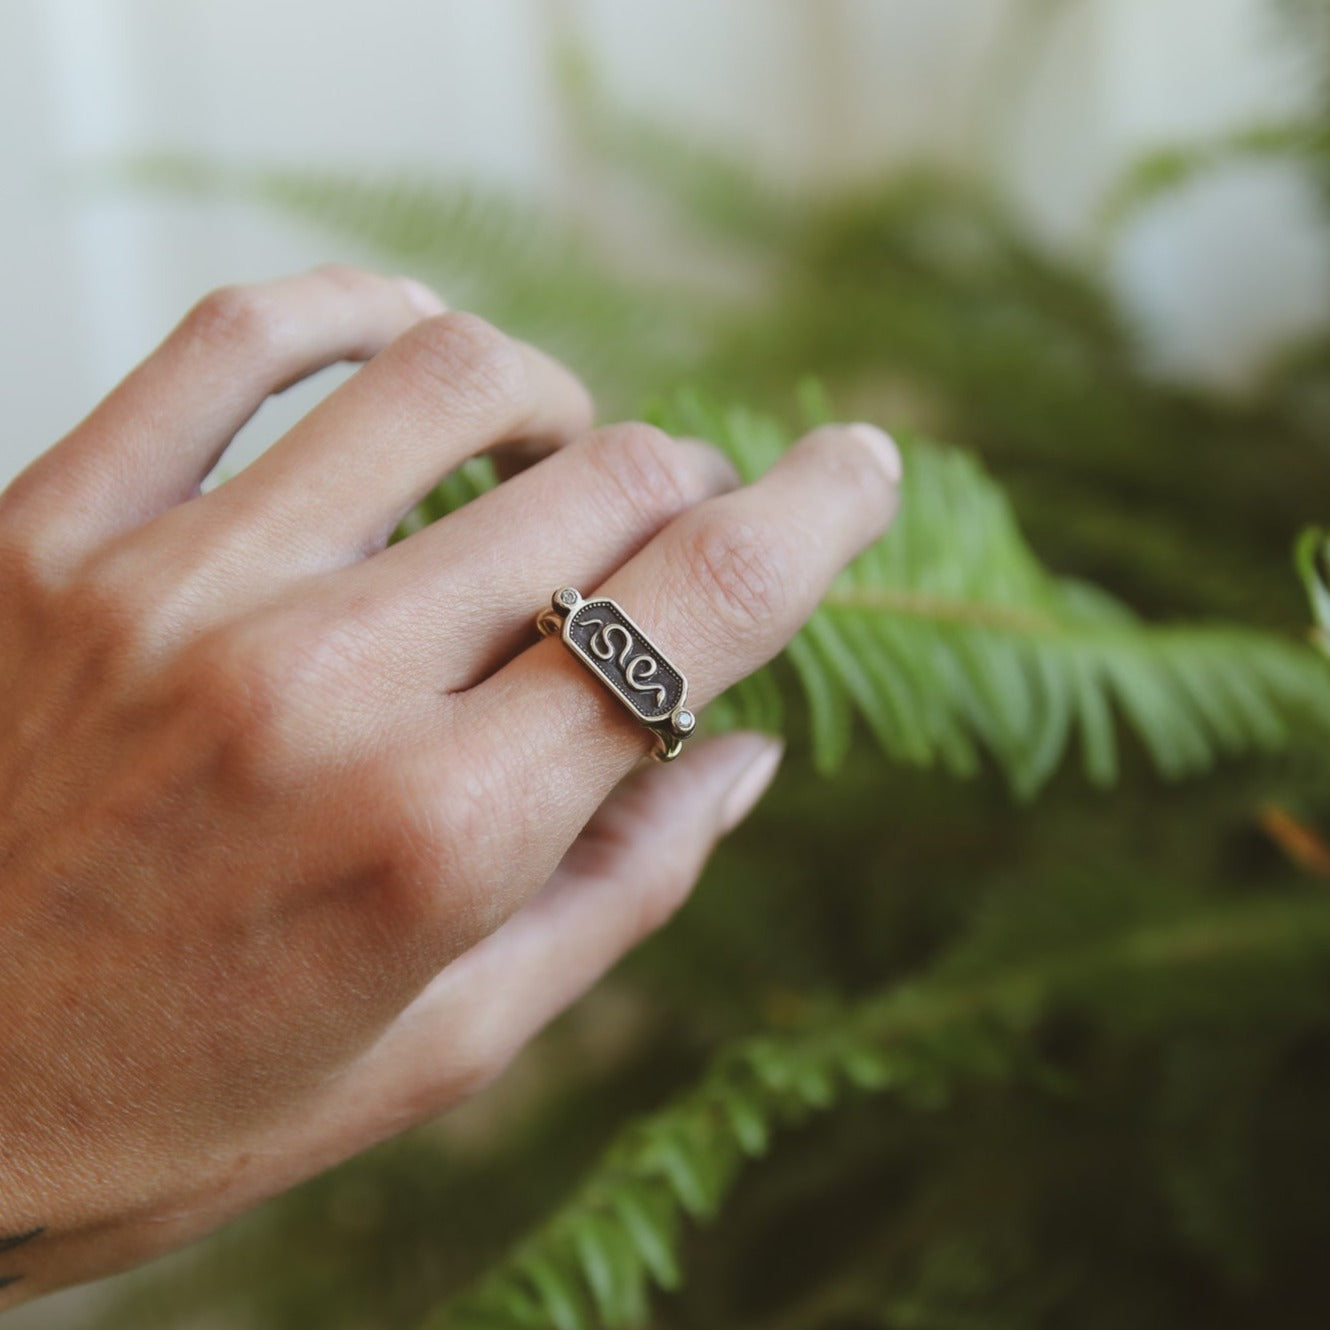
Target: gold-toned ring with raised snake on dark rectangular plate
point(626, 660)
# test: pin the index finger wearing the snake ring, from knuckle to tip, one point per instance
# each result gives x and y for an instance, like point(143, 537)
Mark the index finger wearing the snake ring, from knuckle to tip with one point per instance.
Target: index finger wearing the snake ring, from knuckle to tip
point(720, 591)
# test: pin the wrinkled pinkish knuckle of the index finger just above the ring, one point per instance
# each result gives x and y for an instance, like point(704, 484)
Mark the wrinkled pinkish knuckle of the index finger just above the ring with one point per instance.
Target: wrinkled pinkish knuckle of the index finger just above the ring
point(740, 570)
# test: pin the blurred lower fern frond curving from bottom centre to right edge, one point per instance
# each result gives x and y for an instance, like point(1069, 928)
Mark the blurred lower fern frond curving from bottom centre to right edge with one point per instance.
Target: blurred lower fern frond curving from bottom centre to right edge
point(598, 1259)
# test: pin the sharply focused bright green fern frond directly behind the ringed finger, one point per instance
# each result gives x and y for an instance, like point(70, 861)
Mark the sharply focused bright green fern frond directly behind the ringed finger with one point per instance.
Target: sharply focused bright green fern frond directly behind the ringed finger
point(950, 642)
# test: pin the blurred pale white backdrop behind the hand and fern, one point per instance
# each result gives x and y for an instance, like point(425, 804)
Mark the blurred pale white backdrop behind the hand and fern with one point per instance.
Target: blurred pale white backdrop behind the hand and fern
point(819, 91)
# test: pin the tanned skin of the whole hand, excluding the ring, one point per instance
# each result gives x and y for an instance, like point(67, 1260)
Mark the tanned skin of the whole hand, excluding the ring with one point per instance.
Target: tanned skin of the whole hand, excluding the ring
point(303, 837)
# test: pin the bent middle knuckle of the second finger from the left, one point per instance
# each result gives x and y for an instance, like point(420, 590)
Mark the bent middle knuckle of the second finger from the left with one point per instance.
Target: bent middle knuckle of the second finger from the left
point(470, 361)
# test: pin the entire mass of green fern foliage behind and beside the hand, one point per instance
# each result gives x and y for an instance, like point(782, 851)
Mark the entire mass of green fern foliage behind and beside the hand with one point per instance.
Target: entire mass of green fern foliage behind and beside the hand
point(1005, 1063)
